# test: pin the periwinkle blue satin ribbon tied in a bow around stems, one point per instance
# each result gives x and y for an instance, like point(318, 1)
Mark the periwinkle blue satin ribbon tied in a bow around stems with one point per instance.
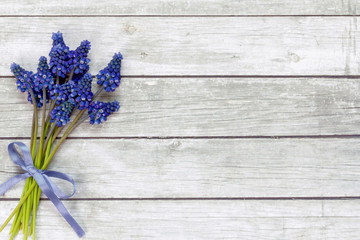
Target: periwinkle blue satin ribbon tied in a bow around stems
point(42, 178)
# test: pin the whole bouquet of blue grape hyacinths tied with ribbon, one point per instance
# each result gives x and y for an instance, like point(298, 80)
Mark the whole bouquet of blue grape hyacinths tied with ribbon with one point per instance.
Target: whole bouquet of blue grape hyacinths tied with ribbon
point(62, 89)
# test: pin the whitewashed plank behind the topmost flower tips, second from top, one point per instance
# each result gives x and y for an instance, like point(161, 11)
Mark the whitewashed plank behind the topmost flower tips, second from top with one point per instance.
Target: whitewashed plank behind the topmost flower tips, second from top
point(194, 46)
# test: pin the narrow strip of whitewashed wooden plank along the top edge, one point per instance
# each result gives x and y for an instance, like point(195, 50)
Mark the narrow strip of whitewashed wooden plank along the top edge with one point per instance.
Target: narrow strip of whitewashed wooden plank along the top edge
point(183, 7)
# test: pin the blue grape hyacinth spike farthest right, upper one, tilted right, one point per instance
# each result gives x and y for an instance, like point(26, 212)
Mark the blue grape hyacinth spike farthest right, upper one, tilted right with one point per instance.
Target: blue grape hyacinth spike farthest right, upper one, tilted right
point(110, 77)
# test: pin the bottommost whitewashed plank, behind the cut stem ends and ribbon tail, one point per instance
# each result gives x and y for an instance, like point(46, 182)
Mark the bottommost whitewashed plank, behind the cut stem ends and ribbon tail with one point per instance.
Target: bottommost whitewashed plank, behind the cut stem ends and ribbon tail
point(253, 220)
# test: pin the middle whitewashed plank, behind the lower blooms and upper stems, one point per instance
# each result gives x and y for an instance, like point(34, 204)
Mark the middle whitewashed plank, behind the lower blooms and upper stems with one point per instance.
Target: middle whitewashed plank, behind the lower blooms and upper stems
point(211, 107)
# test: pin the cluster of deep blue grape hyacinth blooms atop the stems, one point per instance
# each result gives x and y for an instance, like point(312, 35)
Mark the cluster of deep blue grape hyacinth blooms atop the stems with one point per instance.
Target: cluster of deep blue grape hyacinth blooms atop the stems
point(65, 82)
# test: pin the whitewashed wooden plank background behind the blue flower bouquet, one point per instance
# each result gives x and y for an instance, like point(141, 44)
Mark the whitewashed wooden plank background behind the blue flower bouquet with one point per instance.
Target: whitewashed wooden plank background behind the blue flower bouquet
point(239, 119)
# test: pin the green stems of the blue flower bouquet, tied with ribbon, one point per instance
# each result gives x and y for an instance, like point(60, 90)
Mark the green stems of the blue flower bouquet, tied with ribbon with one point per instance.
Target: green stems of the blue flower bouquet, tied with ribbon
point(42, 150)
